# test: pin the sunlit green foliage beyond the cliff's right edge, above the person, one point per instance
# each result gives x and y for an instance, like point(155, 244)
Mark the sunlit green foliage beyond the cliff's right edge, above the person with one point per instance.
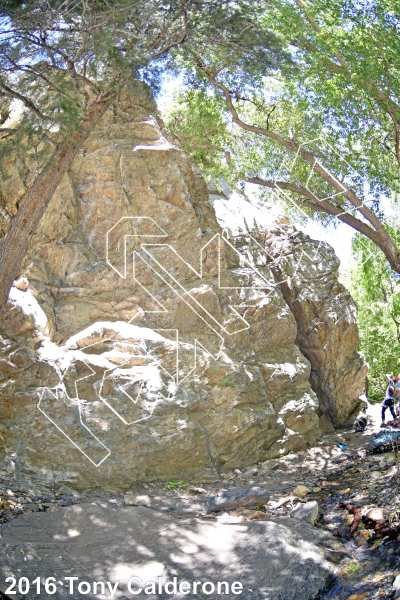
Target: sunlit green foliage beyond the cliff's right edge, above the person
point(376, 290)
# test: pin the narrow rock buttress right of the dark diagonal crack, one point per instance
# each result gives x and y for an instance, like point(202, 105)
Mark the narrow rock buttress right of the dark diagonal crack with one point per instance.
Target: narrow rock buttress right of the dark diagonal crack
point(326, 315)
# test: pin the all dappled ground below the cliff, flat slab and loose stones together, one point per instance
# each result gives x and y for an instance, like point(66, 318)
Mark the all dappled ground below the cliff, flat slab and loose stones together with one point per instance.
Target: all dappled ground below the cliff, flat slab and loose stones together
point(278, 558)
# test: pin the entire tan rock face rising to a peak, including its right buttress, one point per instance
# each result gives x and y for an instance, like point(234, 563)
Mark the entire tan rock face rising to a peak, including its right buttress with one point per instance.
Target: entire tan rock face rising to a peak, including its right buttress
point(152, 336)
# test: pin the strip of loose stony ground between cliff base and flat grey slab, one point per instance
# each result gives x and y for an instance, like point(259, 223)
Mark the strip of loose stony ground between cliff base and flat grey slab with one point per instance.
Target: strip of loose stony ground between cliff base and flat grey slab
point(332, 476)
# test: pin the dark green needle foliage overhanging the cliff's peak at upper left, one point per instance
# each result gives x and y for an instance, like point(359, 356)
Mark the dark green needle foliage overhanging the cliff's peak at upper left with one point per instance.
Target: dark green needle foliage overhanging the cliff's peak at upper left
point(58, 57)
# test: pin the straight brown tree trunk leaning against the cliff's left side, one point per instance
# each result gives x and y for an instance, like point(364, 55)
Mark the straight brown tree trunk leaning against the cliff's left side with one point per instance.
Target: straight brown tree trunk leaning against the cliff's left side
point(23, 225)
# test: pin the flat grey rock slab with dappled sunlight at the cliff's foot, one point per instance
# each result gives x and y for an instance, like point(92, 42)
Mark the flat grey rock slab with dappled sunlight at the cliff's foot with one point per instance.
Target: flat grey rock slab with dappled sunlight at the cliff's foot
point(98, 543)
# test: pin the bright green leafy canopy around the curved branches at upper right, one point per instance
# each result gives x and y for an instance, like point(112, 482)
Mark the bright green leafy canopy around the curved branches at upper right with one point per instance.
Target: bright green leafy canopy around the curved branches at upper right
point(338, 97)
